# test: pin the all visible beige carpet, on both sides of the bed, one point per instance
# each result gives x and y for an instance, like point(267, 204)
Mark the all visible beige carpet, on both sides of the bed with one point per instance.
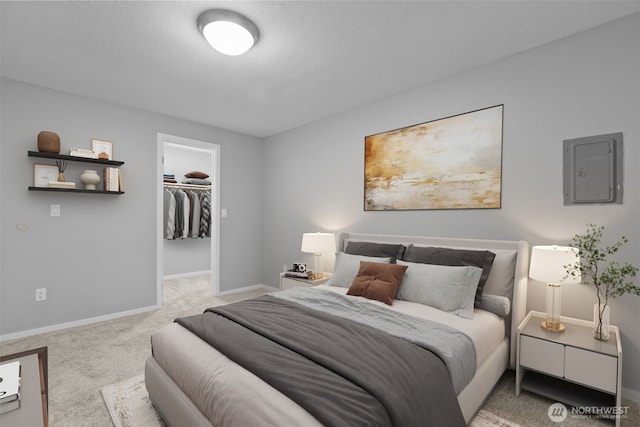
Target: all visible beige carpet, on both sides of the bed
point(85, 359)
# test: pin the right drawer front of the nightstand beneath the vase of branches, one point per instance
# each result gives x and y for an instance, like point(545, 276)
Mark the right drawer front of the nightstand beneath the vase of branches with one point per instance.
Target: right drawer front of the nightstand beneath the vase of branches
point(590, 368)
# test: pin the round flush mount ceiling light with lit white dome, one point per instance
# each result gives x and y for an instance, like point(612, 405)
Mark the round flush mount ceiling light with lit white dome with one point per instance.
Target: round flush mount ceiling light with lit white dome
point(227, 31)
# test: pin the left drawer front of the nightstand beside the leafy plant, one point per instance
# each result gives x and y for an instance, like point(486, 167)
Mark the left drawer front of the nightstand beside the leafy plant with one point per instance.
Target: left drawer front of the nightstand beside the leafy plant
point(541, 355)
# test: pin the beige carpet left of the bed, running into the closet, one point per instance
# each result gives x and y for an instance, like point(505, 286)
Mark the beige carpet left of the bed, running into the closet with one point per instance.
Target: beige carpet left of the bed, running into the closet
point(84, 359)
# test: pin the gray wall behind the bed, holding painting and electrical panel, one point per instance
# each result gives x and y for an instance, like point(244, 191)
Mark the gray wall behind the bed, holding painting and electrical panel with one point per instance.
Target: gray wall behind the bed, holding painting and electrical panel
point(584, 85)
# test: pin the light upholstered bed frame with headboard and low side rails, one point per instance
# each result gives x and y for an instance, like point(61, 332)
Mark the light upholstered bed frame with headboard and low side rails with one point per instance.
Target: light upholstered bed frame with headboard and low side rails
point(175, 407)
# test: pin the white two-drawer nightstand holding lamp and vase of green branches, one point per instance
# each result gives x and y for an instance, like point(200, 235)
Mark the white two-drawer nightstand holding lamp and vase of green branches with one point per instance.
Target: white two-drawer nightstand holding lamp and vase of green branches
point(571, 367)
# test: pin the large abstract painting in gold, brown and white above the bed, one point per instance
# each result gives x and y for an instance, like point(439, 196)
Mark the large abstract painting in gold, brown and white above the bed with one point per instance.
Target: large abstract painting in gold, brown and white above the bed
point(450, 163)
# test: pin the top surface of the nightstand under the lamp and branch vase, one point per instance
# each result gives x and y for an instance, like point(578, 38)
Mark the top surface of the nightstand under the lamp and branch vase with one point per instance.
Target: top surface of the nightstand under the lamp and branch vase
point(575, 335)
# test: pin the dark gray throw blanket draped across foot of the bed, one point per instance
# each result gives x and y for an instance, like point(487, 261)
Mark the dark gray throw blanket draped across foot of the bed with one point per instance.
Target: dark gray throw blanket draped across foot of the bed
point(343, 373)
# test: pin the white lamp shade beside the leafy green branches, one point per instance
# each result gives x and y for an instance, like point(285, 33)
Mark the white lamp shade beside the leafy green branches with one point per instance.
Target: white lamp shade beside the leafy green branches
point(548, 264)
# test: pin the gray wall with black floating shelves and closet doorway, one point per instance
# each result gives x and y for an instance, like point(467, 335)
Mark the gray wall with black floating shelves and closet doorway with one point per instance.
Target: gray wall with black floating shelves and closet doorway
point(99, 257)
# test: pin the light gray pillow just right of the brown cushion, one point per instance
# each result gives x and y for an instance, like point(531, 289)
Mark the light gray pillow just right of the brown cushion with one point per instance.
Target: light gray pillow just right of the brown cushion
point(450, 289)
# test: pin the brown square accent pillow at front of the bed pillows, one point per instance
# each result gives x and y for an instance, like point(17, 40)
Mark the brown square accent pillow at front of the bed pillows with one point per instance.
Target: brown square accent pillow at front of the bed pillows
point(377, 281)
